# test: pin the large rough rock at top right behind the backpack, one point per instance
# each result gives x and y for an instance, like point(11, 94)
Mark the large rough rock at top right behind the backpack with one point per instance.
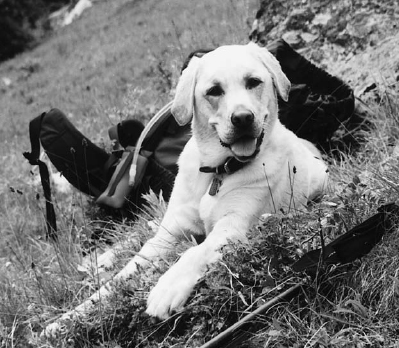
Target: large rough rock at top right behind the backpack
point(349, 39)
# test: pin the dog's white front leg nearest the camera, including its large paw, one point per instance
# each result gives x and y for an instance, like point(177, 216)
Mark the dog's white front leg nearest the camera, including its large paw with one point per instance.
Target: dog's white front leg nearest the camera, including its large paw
point(175, 286)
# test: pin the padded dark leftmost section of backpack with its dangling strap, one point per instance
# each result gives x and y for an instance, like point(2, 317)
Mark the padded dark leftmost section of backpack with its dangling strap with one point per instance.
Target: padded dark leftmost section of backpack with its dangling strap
point(74, 155)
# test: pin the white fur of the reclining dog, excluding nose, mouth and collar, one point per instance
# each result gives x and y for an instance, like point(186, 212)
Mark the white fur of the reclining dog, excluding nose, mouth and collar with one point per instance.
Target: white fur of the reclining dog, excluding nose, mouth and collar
point(286, 172)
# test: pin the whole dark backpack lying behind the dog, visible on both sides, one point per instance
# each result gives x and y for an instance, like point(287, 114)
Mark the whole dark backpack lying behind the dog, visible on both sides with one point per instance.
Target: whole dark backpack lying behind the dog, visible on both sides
point(318, 104)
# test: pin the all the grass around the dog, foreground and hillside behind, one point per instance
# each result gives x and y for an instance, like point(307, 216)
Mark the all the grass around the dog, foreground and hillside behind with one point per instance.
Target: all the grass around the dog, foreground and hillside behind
point(121, 60)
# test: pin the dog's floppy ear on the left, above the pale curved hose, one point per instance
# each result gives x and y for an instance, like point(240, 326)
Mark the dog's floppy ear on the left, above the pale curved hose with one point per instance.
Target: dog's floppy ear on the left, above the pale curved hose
point(183, 103)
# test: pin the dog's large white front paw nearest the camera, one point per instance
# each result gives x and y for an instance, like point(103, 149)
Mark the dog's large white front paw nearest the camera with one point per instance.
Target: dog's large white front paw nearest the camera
point(171, 291)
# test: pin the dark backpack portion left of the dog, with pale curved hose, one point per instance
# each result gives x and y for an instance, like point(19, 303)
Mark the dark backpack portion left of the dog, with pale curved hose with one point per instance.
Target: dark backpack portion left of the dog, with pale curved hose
point(100, 174)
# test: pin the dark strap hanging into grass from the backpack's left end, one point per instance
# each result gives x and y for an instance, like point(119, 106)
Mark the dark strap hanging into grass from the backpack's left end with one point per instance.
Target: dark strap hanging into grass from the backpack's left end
point(33, 158)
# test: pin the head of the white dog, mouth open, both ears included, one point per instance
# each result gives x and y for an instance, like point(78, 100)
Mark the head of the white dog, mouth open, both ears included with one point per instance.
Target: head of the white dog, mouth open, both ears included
point(232, 94)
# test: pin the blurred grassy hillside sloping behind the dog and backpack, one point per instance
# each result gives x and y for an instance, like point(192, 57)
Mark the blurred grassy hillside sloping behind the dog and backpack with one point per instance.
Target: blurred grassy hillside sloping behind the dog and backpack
point(121, 59)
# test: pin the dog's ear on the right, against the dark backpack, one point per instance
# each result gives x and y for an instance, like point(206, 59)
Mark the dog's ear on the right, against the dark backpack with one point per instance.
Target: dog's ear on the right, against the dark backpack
point(280, 81)
